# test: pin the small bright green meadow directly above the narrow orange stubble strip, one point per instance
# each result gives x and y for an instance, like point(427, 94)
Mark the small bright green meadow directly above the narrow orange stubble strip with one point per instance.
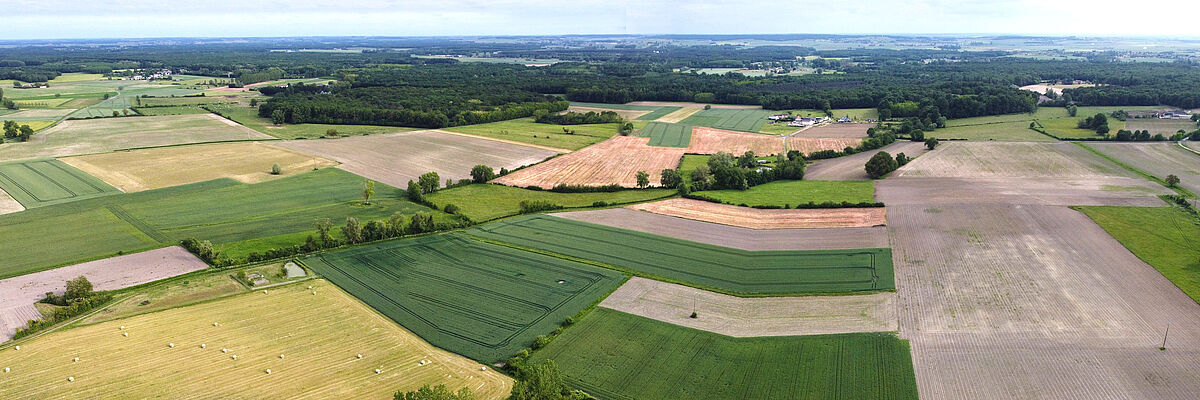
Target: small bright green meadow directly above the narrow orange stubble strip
point(782, 193)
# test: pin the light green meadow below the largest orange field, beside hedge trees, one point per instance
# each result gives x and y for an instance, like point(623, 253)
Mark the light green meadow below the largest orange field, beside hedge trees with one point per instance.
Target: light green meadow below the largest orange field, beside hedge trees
point(489, 202)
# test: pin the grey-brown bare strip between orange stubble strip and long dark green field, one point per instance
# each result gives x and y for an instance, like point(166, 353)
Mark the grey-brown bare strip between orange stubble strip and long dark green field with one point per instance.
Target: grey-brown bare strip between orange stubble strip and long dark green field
point(735, 237)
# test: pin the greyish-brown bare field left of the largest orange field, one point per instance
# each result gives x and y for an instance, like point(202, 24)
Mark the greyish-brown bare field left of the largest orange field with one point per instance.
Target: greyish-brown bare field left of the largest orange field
point(394, 159)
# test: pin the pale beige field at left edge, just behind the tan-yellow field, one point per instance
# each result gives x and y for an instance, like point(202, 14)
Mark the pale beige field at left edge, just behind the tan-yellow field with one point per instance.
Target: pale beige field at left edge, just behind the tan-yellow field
point(76, 138)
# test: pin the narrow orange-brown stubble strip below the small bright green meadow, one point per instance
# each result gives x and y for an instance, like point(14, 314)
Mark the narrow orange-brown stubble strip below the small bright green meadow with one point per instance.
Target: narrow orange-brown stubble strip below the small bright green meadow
point(765, 219)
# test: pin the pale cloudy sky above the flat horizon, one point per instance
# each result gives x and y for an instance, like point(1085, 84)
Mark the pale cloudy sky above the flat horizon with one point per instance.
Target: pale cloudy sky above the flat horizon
point(254, 19)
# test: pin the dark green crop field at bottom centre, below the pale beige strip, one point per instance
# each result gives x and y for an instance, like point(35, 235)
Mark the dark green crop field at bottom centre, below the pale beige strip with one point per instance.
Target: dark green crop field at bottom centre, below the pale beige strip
point(613, 355)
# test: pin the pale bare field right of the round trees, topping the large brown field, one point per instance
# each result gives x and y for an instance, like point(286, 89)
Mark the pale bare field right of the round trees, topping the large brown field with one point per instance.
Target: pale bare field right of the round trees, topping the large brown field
point(1011, 160)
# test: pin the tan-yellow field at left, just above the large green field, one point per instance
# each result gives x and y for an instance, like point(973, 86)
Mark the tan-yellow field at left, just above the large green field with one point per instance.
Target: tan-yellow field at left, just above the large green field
point(163, 168)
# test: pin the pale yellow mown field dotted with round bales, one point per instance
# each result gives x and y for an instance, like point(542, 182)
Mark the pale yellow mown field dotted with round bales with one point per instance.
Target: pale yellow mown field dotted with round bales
point(319, 336)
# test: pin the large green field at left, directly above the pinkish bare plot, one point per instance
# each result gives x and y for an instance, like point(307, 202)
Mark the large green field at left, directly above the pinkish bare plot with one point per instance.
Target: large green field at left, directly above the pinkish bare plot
point(221, 211)
